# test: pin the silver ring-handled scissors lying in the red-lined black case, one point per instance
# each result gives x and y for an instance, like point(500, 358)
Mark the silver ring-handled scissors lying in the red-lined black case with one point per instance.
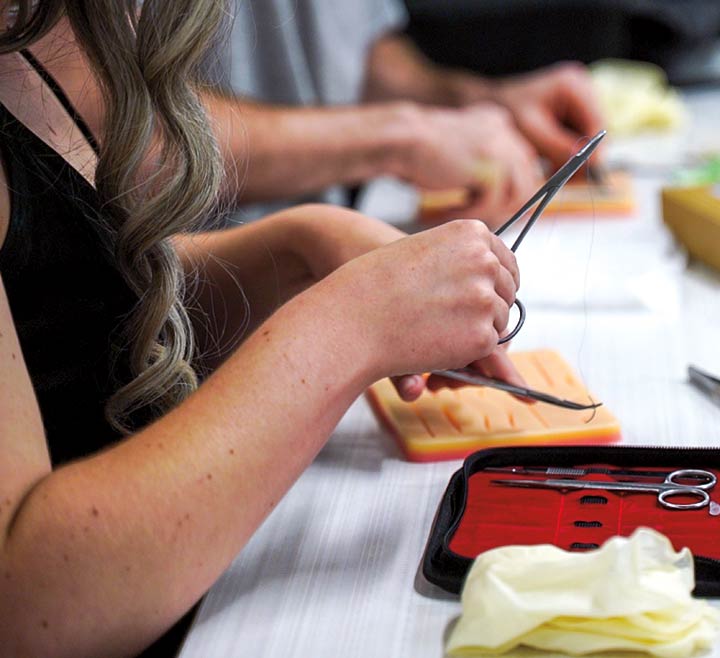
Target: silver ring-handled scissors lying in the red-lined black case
point(666, 489)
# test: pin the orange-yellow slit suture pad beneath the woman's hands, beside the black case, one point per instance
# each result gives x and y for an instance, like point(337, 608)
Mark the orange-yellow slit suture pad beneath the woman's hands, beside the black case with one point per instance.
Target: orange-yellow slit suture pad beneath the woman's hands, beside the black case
point(452, 423)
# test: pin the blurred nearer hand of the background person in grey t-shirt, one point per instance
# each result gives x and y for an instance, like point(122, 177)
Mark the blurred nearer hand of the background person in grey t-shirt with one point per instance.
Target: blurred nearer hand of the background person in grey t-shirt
point(476, 148)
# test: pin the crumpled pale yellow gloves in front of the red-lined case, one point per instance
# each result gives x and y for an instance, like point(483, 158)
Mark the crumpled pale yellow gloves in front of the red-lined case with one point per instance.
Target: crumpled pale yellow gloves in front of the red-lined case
point(633, 594)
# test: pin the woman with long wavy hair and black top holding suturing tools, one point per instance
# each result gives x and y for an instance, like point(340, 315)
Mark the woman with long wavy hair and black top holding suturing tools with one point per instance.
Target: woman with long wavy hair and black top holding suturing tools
point(126, 486)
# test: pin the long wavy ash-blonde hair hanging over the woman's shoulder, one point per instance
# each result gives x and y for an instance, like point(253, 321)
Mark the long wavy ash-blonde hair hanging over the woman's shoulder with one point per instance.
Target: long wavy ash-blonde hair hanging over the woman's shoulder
point(146, 61)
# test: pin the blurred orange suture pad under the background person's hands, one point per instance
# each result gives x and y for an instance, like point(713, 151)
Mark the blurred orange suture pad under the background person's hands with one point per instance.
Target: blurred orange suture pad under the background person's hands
point(614, 196)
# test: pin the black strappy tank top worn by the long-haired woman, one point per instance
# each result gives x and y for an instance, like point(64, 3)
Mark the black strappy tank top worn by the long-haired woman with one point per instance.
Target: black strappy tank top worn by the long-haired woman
point(66, 297)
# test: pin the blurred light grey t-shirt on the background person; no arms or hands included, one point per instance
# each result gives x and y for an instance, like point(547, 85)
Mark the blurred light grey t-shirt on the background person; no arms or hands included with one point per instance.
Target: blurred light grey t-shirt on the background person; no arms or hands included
point(305, 52)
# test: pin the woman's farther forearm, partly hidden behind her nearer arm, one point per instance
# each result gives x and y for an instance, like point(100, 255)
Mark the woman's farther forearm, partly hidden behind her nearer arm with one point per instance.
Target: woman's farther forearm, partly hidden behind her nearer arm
point(246, 273)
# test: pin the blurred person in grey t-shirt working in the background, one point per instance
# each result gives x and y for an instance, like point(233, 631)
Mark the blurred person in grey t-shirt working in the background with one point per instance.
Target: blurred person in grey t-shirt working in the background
point(332, 94)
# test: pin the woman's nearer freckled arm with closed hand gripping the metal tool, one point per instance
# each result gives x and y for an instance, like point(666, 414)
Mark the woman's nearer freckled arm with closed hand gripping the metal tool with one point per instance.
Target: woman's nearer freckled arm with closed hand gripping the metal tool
point(100, 556)
